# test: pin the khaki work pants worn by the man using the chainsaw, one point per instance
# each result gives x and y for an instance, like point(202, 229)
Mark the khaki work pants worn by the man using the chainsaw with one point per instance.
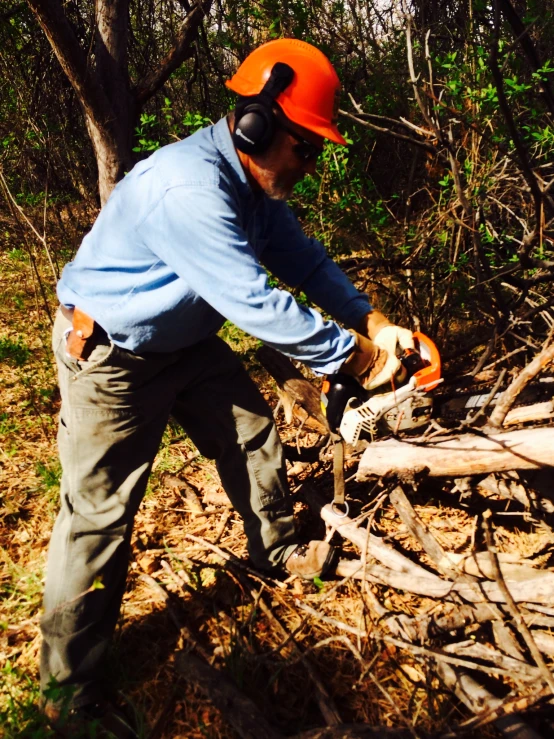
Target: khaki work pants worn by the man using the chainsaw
point(115, 407)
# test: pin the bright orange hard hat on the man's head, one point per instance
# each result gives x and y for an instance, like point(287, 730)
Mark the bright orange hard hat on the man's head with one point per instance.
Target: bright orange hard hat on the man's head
point(312, 98)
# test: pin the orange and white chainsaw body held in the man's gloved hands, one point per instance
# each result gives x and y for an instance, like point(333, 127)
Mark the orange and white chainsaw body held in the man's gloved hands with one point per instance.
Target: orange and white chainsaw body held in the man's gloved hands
point(401, 405)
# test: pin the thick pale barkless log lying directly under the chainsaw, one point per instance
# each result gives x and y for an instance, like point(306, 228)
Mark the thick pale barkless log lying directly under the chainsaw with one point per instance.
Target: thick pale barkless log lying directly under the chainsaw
point(467, 454)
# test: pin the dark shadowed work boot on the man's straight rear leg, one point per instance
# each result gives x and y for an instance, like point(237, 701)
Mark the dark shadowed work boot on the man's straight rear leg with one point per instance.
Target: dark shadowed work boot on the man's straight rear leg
point(94, 721)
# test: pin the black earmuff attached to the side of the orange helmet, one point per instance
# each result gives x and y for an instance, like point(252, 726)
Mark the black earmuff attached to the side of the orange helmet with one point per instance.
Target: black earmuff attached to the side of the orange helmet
point(254, 117)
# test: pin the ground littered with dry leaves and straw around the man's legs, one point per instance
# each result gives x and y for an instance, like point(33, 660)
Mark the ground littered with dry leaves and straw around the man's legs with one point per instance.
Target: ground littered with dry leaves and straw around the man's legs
point(182, 594)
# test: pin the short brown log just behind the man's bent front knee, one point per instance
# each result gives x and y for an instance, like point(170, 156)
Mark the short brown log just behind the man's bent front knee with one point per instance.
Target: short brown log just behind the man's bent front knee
point(294, 385)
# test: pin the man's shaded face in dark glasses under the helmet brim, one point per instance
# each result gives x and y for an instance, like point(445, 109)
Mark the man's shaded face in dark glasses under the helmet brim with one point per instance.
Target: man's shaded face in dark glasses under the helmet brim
point(287, 161)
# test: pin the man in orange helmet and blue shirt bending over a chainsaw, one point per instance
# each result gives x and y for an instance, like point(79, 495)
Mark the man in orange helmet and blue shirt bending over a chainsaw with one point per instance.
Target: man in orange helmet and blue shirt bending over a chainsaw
point(178, 249)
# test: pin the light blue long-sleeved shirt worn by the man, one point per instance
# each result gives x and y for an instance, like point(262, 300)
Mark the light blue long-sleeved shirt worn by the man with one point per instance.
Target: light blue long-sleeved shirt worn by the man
point(179, 247)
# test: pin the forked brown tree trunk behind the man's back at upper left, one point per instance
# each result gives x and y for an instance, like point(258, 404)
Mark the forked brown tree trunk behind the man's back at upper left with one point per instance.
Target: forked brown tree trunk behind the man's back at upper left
point(110, 103)
